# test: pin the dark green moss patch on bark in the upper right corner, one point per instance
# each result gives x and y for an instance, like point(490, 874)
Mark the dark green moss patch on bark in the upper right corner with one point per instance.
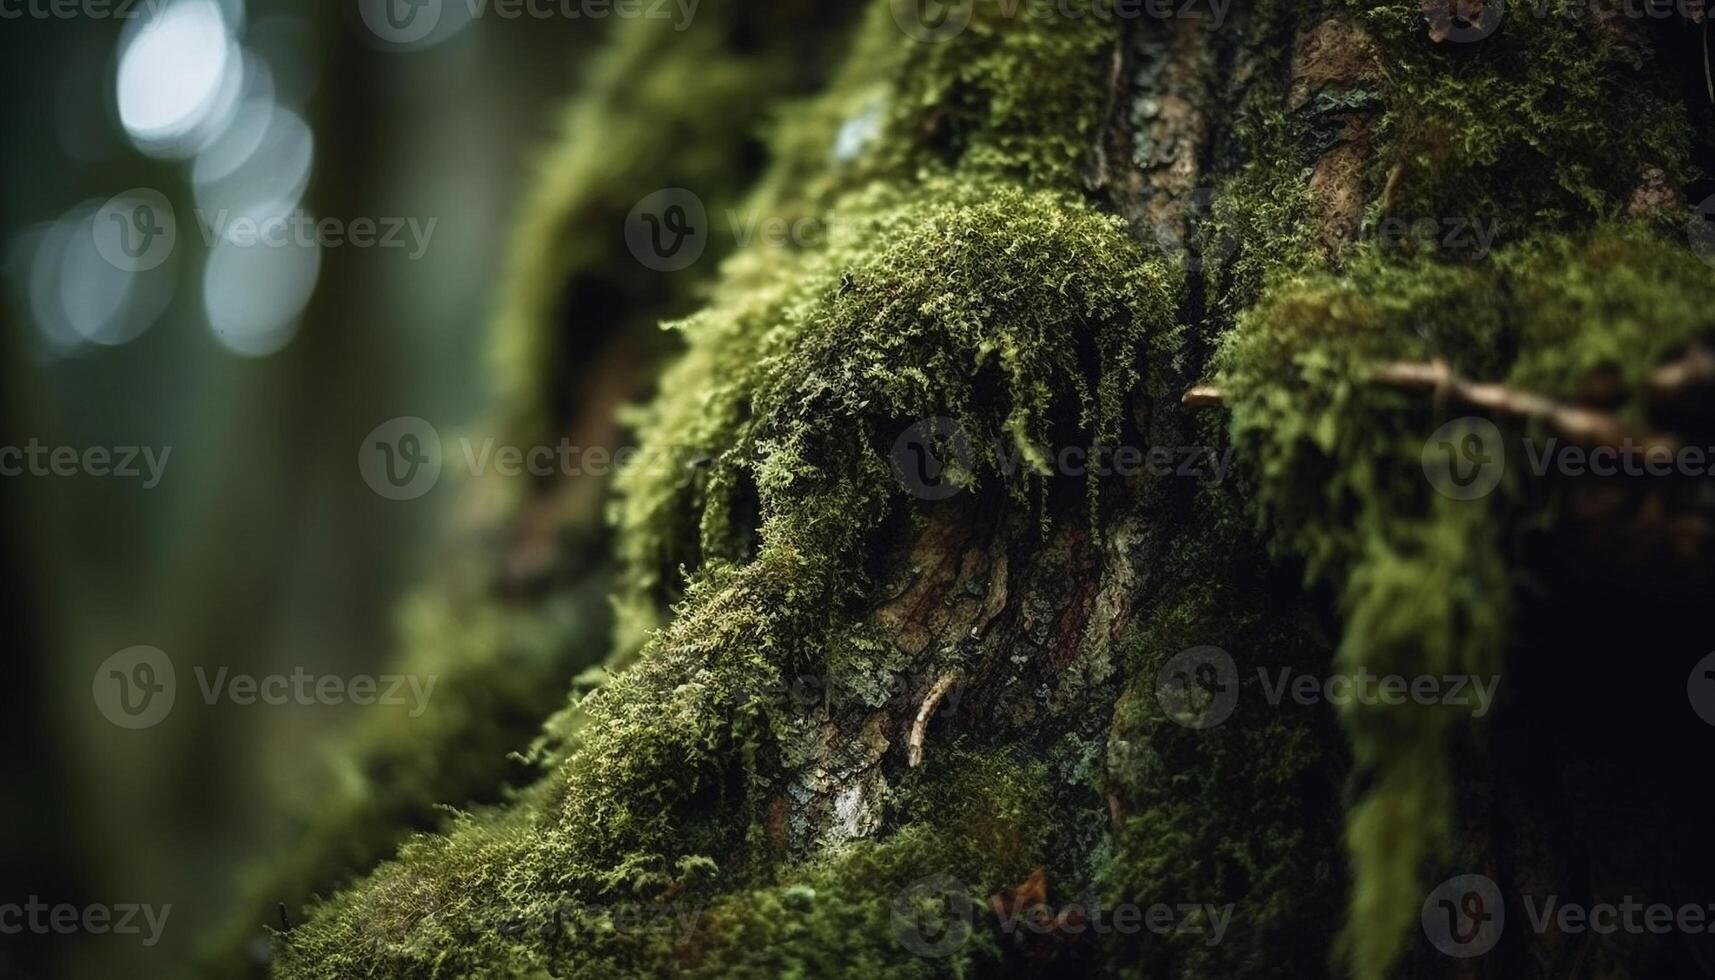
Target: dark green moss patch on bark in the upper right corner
point(1570, 97)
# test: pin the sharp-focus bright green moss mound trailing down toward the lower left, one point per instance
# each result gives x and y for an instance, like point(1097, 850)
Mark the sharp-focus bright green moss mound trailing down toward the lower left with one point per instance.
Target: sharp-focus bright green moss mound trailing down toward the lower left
point(1009, 310)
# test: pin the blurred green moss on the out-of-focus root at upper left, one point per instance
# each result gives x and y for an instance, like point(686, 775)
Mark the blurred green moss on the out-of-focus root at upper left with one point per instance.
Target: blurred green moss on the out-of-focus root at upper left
point(673, 109)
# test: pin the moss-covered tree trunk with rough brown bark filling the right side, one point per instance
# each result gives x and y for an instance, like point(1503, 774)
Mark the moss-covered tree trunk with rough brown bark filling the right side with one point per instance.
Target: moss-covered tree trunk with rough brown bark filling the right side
point(836, 705)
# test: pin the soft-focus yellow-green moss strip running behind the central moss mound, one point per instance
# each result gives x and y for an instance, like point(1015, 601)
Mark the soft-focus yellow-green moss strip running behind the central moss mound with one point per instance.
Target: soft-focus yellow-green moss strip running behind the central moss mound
point(934, 123)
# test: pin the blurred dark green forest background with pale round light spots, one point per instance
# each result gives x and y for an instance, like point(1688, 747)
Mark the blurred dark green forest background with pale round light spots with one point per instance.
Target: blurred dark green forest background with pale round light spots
point(255, 373)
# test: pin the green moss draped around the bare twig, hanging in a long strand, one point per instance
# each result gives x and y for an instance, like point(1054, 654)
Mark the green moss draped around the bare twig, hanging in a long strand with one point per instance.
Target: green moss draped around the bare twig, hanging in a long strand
point(1424, 581)
